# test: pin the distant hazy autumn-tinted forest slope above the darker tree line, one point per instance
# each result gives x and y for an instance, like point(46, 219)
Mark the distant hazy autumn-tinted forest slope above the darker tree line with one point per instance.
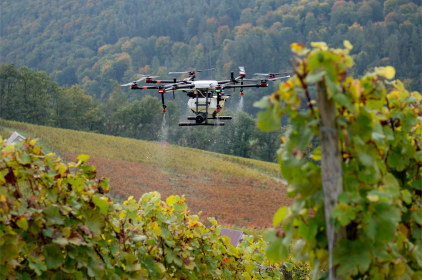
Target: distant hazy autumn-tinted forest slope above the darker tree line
point(94, 43)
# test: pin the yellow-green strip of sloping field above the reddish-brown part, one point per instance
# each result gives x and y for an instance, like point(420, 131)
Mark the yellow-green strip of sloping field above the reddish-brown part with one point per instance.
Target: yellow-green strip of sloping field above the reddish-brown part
point(118, 148)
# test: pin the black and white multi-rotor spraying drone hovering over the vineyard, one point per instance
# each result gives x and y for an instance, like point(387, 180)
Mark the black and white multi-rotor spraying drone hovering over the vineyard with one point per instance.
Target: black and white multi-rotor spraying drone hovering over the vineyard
point(206, 97)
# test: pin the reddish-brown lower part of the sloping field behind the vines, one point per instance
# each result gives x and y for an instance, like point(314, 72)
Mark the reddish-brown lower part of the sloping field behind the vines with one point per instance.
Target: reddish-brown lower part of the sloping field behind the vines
point(234, 200)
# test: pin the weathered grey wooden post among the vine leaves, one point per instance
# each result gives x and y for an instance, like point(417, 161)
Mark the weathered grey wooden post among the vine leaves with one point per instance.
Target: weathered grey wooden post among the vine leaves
point(331, 170)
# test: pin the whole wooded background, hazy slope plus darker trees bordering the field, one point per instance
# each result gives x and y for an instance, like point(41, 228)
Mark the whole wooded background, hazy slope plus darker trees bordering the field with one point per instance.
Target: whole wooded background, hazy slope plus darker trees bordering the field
point(97, 44)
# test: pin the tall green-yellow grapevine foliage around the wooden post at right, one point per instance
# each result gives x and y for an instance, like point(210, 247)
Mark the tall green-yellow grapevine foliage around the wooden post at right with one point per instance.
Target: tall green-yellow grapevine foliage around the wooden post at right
point(380, 135)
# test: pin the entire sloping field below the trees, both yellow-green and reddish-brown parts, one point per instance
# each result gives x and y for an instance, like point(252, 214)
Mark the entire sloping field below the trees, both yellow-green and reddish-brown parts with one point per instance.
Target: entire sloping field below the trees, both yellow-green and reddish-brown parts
point(236, 190)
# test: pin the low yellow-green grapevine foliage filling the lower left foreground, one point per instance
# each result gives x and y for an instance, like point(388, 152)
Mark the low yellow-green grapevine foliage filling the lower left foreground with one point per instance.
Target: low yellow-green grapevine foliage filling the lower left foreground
point(56, 222)
